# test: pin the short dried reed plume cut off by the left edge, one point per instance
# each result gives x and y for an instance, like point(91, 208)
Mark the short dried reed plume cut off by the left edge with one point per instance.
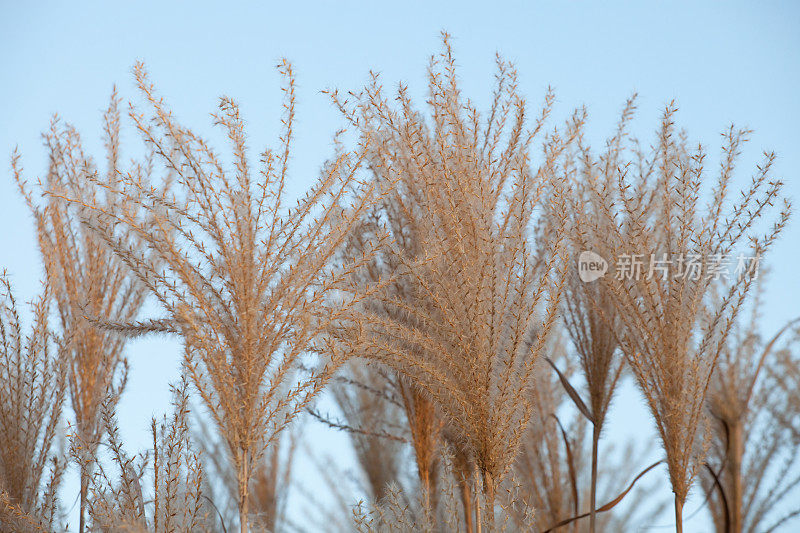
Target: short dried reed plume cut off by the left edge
point(32, 388)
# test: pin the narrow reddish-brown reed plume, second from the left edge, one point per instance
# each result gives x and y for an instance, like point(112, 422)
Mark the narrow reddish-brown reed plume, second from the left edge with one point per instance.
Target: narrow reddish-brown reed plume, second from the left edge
point(85, 276)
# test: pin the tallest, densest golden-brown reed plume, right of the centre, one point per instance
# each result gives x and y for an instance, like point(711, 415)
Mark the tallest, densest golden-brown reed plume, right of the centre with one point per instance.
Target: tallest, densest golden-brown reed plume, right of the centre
point(484, 296)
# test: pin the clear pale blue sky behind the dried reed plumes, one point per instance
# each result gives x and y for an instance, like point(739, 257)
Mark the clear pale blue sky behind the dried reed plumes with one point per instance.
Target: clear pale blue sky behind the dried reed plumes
point(723, 62)
